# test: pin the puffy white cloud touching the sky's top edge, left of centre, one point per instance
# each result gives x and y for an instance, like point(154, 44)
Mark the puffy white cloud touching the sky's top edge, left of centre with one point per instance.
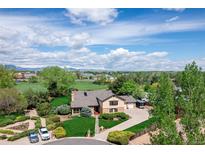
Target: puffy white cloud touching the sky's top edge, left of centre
point(99, 16)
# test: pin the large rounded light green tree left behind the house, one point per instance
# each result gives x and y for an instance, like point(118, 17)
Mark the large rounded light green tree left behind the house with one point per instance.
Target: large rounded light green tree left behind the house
point(57, 79)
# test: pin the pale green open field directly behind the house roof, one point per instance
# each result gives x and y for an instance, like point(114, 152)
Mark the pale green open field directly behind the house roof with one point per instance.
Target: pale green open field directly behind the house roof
point(88, 85)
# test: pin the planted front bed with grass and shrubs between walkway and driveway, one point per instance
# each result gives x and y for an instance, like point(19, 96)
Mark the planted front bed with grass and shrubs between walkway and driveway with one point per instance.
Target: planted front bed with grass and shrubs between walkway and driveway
point(109, 120)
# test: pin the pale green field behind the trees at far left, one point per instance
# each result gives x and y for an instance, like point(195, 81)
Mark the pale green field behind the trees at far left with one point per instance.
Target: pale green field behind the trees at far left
point(24, 86)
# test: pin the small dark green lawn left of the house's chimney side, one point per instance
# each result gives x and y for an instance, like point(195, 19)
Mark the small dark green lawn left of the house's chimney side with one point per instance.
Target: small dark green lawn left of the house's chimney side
point(60, 101)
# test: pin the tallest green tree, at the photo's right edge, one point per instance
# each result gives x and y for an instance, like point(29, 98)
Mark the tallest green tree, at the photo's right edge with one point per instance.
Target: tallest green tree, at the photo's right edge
point(193, 100)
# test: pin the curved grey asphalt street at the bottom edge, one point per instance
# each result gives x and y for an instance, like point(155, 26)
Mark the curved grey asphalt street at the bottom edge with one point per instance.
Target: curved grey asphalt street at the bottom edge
point(78, 141)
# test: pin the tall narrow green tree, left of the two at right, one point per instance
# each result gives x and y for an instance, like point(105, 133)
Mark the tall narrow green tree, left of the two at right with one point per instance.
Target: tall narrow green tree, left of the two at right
point(164, 110)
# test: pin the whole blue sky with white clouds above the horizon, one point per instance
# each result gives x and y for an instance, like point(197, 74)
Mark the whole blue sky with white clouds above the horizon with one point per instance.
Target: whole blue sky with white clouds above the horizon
point(111, 39)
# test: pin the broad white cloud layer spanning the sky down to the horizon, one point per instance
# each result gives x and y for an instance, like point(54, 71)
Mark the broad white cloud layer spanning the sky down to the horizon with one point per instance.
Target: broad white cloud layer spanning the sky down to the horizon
point(19, 44)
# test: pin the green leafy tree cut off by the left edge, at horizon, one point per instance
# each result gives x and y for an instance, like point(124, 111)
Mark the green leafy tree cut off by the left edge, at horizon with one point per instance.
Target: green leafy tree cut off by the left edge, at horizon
point(6, 77)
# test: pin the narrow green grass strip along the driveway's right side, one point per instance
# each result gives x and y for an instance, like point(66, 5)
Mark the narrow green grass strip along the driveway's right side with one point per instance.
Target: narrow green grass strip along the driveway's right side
point(141, 126)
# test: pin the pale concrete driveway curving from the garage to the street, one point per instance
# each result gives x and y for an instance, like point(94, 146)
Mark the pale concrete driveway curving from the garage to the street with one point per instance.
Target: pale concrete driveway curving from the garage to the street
point(137, 116)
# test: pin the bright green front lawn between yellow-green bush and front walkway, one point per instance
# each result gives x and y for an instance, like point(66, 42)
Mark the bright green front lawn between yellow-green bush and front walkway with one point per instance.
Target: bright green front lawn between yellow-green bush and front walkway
point(78, 126)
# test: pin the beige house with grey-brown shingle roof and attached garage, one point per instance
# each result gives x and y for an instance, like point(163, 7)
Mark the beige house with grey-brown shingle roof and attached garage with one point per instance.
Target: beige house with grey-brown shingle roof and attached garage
point(100, 101)
